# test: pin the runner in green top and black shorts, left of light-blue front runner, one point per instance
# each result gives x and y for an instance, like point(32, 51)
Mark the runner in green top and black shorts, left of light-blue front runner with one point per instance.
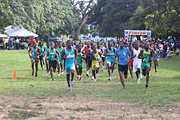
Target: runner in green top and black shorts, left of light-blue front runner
point(52, 56)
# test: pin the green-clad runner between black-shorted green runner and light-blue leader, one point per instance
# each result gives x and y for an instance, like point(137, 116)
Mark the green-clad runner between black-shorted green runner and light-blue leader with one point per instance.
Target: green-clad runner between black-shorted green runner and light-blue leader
point(60, 61)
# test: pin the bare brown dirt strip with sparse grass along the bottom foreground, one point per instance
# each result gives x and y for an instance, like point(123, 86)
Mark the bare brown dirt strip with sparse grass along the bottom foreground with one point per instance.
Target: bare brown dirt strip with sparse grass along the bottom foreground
point(76, 108)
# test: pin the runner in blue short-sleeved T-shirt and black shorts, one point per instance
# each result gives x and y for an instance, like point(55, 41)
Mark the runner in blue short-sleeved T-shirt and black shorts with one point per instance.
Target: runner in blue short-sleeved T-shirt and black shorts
point(123, 55)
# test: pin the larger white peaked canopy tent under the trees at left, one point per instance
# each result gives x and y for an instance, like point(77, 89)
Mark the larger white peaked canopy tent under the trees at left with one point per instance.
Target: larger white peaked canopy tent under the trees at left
point(19, 32)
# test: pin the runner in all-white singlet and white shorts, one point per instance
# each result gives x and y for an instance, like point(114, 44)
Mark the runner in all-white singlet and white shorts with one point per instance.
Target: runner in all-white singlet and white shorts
point(137, 62)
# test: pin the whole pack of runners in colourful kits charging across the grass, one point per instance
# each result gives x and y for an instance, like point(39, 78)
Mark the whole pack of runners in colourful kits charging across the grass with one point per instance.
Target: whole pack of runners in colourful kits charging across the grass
point(70, 56)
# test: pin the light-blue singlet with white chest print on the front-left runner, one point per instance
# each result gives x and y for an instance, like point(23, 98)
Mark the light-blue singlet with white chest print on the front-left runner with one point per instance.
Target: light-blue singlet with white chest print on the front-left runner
point(70, 59)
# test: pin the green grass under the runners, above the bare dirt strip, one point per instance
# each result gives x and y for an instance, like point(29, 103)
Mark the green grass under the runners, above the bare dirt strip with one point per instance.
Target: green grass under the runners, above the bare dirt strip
point(163, 86)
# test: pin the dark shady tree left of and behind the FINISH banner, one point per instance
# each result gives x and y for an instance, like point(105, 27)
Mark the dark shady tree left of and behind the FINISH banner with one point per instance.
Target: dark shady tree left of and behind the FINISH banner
point(113, 16)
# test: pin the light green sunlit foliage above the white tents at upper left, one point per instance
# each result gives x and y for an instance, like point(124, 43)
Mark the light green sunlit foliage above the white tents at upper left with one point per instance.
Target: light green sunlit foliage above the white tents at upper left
point(45, 17)
